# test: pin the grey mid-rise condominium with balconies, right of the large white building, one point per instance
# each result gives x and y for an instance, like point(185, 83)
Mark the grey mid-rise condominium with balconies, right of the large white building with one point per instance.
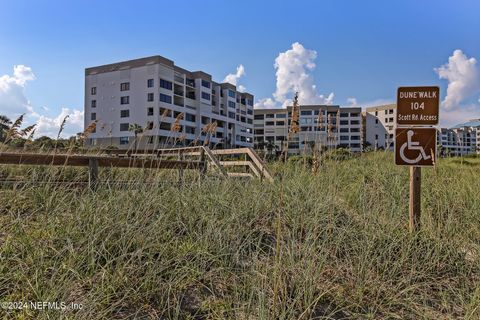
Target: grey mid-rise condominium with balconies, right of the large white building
point(317, 126)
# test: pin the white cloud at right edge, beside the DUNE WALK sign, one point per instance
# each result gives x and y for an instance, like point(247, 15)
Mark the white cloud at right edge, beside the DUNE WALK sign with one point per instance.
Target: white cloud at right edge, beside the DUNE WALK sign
point(463, 76)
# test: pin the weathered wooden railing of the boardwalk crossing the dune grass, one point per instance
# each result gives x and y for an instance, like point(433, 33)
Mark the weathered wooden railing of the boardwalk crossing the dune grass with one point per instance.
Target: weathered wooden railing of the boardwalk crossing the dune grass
point(204, 159)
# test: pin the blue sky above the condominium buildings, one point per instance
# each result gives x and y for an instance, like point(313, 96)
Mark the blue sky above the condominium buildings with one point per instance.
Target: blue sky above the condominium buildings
point(364, 49)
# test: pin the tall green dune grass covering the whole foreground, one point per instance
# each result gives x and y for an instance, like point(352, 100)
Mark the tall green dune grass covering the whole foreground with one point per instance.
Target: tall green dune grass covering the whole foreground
point(331, 246)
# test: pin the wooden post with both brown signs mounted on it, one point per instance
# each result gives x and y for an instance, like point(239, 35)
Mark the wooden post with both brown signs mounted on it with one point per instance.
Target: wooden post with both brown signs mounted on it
point(416, 139)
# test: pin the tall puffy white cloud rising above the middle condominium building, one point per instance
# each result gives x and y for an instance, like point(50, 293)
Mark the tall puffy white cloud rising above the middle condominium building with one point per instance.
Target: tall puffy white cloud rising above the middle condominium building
point(293, 75)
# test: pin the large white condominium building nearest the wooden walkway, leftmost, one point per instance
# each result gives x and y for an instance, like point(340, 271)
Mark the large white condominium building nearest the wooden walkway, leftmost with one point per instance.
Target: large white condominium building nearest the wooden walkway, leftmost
point(169, 106)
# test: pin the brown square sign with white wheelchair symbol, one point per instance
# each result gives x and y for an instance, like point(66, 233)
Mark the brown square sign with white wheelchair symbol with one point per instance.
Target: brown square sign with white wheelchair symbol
point(415, 146)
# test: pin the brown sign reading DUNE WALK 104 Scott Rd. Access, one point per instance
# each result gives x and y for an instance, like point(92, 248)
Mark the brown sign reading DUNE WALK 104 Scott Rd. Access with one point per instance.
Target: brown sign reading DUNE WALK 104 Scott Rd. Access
point(417, 105)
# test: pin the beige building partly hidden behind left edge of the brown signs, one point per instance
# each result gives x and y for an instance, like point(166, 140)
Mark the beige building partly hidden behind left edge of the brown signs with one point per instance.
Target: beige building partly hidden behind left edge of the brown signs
point(380, 126)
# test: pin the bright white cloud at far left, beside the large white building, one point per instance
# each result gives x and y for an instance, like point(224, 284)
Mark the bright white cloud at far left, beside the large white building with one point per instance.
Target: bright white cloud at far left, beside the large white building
point(14, 102)
